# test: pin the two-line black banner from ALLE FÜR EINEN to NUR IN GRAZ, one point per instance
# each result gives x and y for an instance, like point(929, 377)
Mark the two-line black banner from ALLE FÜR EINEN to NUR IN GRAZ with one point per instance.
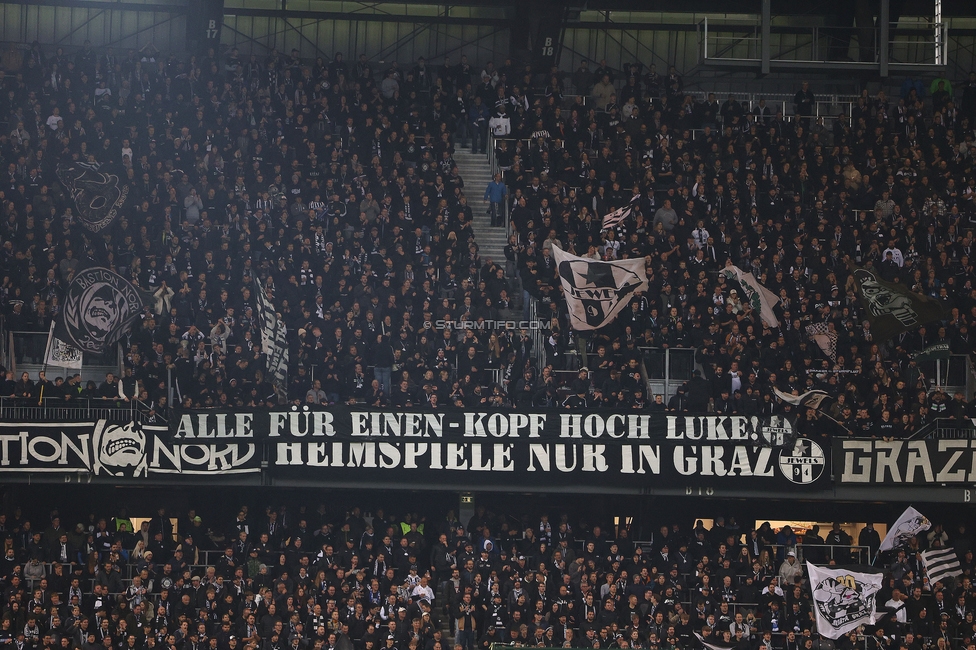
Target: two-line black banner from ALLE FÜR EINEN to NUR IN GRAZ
point(515, 449)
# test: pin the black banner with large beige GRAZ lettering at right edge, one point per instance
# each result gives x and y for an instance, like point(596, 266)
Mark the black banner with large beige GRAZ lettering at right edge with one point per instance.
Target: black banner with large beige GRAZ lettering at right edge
point(910, 463)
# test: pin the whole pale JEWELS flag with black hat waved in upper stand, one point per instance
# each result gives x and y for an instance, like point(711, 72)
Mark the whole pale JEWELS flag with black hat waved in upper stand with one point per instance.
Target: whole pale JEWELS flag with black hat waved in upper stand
point(597, 291)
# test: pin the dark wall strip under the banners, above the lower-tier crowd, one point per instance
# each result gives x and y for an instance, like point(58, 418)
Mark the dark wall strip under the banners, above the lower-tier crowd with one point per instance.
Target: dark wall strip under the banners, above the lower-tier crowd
point(647, 514)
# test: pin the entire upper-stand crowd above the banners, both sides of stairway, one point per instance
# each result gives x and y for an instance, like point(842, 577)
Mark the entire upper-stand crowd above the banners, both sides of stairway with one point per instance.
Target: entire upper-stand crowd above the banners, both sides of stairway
point(334, 189)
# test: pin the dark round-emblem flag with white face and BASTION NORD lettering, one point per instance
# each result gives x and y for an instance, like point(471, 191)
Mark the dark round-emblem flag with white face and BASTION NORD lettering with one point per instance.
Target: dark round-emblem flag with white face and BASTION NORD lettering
point(99, 307)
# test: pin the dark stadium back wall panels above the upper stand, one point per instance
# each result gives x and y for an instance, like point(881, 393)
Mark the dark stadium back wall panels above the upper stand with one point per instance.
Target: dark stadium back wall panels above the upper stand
point(480, 32)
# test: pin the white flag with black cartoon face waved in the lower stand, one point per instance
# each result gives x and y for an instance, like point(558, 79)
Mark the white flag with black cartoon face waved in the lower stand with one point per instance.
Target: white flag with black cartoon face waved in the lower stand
point(843, 599)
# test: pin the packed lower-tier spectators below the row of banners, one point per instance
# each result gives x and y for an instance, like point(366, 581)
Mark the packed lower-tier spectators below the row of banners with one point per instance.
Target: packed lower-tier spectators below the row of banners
point(315, 579)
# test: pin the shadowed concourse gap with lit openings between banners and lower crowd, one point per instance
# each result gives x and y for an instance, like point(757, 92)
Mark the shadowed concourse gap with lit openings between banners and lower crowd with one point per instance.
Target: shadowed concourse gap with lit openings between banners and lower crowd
point(642, 516)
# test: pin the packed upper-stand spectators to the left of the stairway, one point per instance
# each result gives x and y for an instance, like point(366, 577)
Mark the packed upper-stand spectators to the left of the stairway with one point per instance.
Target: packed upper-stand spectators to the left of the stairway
point(334, 191)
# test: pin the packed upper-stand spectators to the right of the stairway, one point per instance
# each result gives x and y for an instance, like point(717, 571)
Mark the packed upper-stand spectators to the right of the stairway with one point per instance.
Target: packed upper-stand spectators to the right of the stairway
point(891, 185)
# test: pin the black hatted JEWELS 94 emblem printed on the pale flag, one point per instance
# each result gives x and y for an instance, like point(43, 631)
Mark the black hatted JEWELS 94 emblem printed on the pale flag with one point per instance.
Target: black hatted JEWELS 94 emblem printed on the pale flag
point(601, 288)
